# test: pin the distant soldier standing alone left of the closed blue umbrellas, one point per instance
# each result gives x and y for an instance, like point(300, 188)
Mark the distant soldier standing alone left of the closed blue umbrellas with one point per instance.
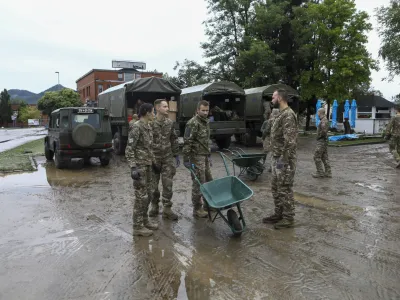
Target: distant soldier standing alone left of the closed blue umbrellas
point(321, 150)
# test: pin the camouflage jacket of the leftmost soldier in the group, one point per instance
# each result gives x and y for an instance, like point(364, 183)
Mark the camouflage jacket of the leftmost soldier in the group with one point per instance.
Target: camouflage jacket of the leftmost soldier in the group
point(139, 150)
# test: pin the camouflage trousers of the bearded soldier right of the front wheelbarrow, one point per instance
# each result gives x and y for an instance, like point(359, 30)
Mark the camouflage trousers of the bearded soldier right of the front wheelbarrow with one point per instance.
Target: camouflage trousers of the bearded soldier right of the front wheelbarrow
point(282, 188)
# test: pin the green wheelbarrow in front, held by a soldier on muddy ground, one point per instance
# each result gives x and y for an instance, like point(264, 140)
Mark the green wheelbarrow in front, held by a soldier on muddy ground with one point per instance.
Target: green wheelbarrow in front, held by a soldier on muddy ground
point(224, 194)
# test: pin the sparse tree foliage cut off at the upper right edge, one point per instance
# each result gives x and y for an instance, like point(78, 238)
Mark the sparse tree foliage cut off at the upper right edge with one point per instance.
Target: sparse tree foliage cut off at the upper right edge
point(389, 29)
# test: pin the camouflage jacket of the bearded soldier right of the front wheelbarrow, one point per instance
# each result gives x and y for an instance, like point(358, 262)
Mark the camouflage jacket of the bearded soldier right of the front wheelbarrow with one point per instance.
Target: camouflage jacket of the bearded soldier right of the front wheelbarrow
point(284, 135)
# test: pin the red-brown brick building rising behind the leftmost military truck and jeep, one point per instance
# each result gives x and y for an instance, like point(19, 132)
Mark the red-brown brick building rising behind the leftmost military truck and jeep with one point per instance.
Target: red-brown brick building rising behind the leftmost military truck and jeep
point(90, 85)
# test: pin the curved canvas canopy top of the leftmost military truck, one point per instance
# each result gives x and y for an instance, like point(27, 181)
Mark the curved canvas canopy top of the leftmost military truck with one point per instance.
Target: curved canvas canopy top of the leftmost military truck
point(148, 84)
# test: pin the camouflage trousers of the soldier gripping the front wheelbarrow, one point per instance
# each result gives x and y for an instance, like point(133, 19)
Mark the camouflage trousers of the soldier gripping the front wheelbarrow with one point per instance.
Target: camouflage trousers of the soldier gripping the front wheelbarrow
point(203, 173)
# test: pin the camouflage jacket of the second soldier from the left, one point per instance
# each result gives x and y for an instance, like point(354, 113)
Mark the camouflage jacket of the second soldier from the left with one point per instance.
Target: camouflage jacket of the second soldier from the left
point(165, 139)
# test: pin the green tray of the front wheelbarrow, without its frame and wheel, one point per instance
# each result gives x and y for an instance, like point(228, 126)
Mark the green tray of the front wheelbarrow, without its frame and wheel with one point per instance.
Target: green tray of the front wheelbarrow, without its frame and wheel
point(225, 192)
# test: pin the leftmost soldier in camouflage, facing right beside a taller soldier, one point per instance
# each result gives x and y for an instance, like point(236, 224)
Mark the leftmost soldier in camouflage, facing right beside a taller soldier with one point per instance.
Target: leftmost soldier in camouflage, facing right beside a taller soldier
point(139, 154)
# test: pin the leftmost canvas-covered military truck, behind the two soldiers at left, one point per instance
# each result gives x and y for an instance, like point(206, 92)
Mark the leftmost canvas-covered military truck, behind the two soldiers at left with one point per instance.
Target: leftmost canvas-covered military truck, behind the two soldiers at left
point(123, 102)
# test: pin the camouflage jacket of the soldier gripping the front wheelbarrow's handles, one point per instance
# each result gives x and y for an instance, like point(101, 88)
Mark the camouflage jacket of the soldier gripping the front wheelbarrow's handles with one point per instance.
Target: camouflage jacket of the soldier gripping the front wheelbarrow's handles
point(197, 137)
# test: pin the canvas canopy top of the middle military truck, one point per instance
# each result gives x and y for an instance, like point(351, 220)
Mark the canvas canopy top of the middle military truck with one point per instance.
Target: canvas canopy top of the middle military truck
point(220, 87)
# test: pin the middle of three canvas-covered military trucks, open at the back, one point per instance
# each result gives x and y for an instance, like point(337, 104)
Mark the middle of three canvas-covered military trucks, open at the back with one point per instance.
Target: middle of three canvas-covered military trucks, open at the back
point(227, 109)
